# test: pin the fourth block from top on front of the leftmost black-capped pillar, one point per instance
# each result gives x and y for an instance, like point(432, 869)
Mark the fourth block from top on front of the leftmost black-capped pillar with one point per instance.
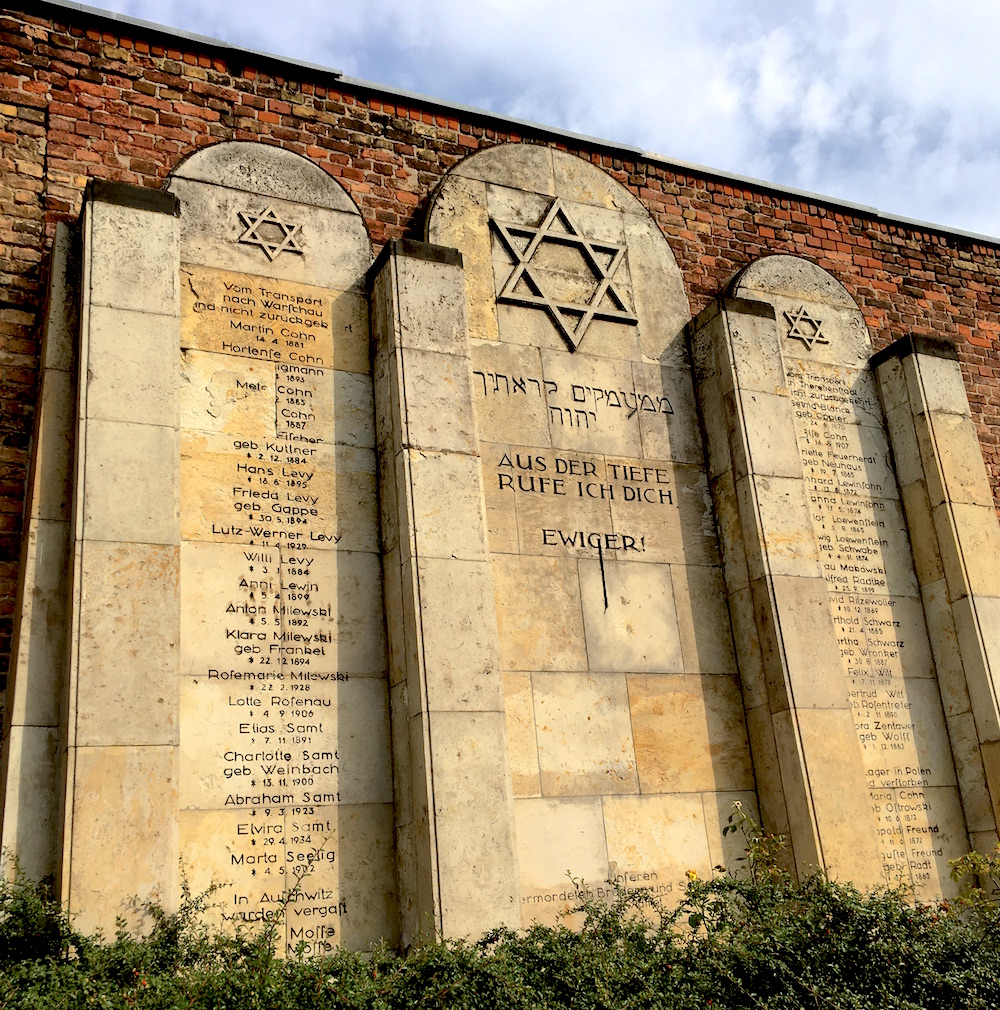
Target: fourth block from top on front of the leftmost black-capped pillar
point(128, 645)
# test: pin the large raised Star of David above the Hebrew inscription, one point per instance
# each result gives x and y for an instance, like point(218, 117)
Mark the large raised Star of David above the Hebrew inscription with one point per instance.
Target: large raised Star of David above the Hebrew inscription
point(603, 260)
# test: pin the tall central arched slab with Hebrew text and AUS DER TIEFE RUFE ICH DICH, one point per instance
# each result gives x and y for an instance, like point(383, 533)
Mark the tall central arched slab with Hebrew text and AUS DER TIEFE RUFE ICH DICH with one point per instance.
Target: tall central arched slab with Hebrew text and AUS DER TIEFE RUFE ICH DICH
point(625, 719)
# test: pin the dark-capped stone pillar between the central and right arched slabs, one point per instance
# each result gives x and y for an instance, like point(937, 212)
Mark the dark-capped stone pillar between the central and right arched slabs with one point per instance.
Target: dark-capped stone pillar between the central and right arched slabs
point(809, 766)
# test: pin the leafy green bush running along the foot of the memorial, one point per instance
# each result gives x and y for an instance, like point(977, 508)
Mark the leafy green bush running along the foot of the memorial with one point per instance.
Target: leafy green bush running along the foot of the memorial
point(757, 940)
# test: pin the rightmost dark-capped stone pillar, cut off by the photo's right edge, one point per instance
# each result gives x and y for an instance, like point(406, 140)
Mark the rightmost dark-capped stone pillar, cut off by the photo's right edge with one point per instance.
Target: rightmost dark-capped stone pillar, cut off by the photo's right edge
point(952, 520)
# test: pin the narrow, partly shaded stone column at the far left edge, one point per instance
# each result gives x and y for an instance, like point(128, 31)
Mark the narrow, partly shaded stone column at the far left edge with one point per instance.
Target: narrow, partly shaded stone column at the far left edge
point(30, 764)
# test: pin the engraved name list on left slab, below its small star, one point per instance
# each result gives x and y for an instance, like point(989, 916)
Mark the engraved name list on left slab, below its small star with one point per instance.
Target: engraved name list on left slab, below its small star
point(277, 591)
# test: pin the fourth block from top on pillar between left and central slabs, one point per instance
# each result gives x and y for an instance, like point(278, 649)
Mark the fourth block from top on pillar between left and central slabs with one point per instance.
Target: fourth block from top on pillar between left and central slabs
point(459, 637)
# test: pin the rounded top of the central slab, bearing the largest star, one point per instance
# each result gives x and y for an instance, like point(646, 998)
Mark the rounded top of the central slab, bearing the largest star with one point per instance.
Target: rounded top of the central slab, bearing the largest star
point(508, 209)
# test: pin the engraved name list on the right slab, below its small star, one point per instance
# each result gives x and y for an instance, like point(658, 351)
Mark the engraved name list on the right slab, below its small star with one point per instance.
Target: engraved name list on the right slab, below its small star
point(874, 598)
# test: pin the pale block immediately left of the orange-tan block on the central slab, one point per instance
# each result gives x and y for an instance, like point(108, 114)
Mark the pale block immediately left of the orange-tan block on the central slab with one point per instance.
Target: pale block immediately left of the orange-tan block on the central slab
point(584, 735)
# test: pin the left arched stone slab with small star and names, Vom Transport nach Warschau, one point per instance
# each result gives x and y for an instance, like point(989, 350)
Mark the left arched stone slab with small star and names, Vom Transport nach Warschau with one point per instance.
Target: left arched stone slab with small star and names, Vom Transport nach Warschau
point(284, 763)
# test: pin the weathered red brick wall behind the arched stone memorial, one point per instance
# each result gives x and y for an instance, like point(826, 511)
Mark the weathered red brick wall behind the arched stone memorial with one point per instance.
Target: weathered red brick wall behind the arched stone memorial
point(81, 99)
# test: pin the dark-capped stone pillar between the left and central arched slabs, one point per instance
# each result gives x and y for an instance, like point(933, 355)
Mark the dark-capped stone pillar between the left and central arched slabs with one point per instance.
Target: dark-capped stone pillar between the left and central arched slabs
point(453, 793)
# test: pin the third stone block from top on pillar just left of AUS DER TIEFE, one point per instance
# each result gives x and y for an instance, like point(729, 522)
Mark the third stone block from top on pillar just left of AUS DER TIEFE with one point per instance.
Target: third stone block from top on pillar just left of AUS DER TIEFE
point(447, 502)
